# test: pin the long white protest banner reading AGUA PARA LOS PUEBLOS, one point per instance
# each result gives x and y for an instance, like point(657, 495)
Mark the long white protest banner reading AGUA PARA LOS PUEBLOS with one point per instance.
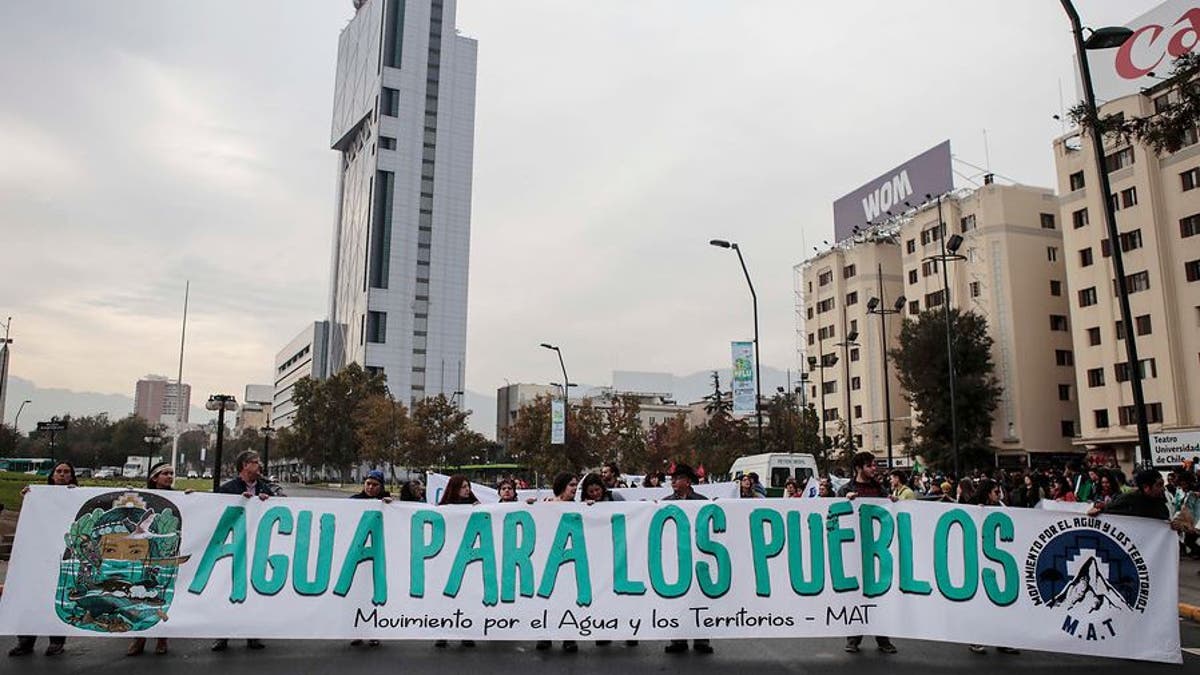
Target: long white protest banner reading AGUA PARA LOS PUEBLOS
point(113, 563)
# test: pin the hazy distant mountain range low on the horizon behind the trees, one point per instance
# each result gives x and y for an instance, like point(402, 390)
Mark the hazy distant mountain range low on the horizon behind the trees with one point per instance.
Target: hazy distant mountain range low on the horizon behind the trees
point(46, 403)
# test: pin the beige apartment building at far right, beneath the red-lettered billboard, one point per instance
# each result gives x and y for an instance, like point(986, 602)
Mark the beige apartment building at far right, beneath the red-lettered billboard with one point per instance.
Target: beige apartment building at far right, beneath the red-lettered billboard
point(1159, 218)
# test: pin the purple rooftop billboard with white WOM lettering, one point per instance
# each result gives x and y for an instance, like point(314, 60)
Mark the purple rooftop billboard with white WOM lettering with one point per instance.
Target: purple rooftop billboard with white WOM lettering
point(928, 174)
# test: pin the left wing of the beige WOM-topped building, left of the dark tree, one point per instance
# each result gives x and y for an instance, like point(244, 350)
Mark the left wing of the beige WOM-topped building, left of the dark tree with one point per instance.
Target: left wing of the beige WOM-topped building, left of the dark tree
point(847, 344)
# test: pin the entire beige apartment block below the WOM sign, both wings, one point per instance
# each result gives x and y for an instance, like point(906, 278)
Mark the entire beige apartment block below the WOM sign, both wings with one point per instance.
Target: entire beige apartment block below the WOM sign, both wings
point(1012, 272)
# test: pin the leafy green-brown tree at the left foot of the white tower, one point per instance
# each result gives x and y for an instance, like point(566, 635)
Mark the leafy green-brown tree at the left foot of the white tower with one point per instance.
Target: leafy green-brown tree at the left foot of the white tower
point(325, 429)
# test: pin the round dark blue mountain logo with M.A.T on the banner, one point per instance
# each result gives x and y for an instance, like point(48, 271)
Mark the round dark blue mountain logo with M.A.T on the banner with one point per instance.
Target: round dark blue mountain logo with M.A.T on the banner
point(1091, 574)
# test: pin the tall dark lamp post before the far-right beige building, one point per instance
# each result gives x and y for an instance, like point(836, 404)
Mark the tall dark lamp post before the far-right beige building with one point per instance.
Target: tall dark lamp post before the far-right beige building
point(1109, 39)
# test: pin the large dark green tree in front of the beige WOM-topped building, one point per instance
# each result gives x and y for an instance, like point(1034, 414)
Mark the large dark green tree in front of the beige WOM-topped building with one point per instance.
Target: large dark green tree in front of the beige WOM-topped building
point(923, 371)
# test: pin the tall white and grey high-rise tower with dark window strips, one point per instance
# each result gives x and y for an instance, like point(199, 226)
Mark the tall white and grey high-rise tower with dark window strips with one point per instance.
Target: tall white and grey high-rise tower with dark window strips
point(404, 130)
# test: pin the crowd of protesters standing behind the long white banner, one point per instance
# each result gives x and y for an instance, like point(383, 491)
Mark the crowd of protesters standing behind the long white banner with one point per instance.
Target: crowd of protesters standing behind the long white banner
point(1172, 497)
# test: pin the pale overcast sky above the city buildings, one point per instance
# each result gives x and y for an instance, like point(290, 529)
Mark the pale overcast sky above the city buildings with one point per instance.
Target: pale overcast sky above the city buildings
point(145, 144)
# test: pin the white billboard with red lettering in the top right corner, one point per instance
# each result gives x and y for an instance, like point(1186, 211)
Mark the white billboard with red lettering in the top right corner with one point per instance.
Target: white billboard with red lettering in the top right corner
point(1160, 38)
